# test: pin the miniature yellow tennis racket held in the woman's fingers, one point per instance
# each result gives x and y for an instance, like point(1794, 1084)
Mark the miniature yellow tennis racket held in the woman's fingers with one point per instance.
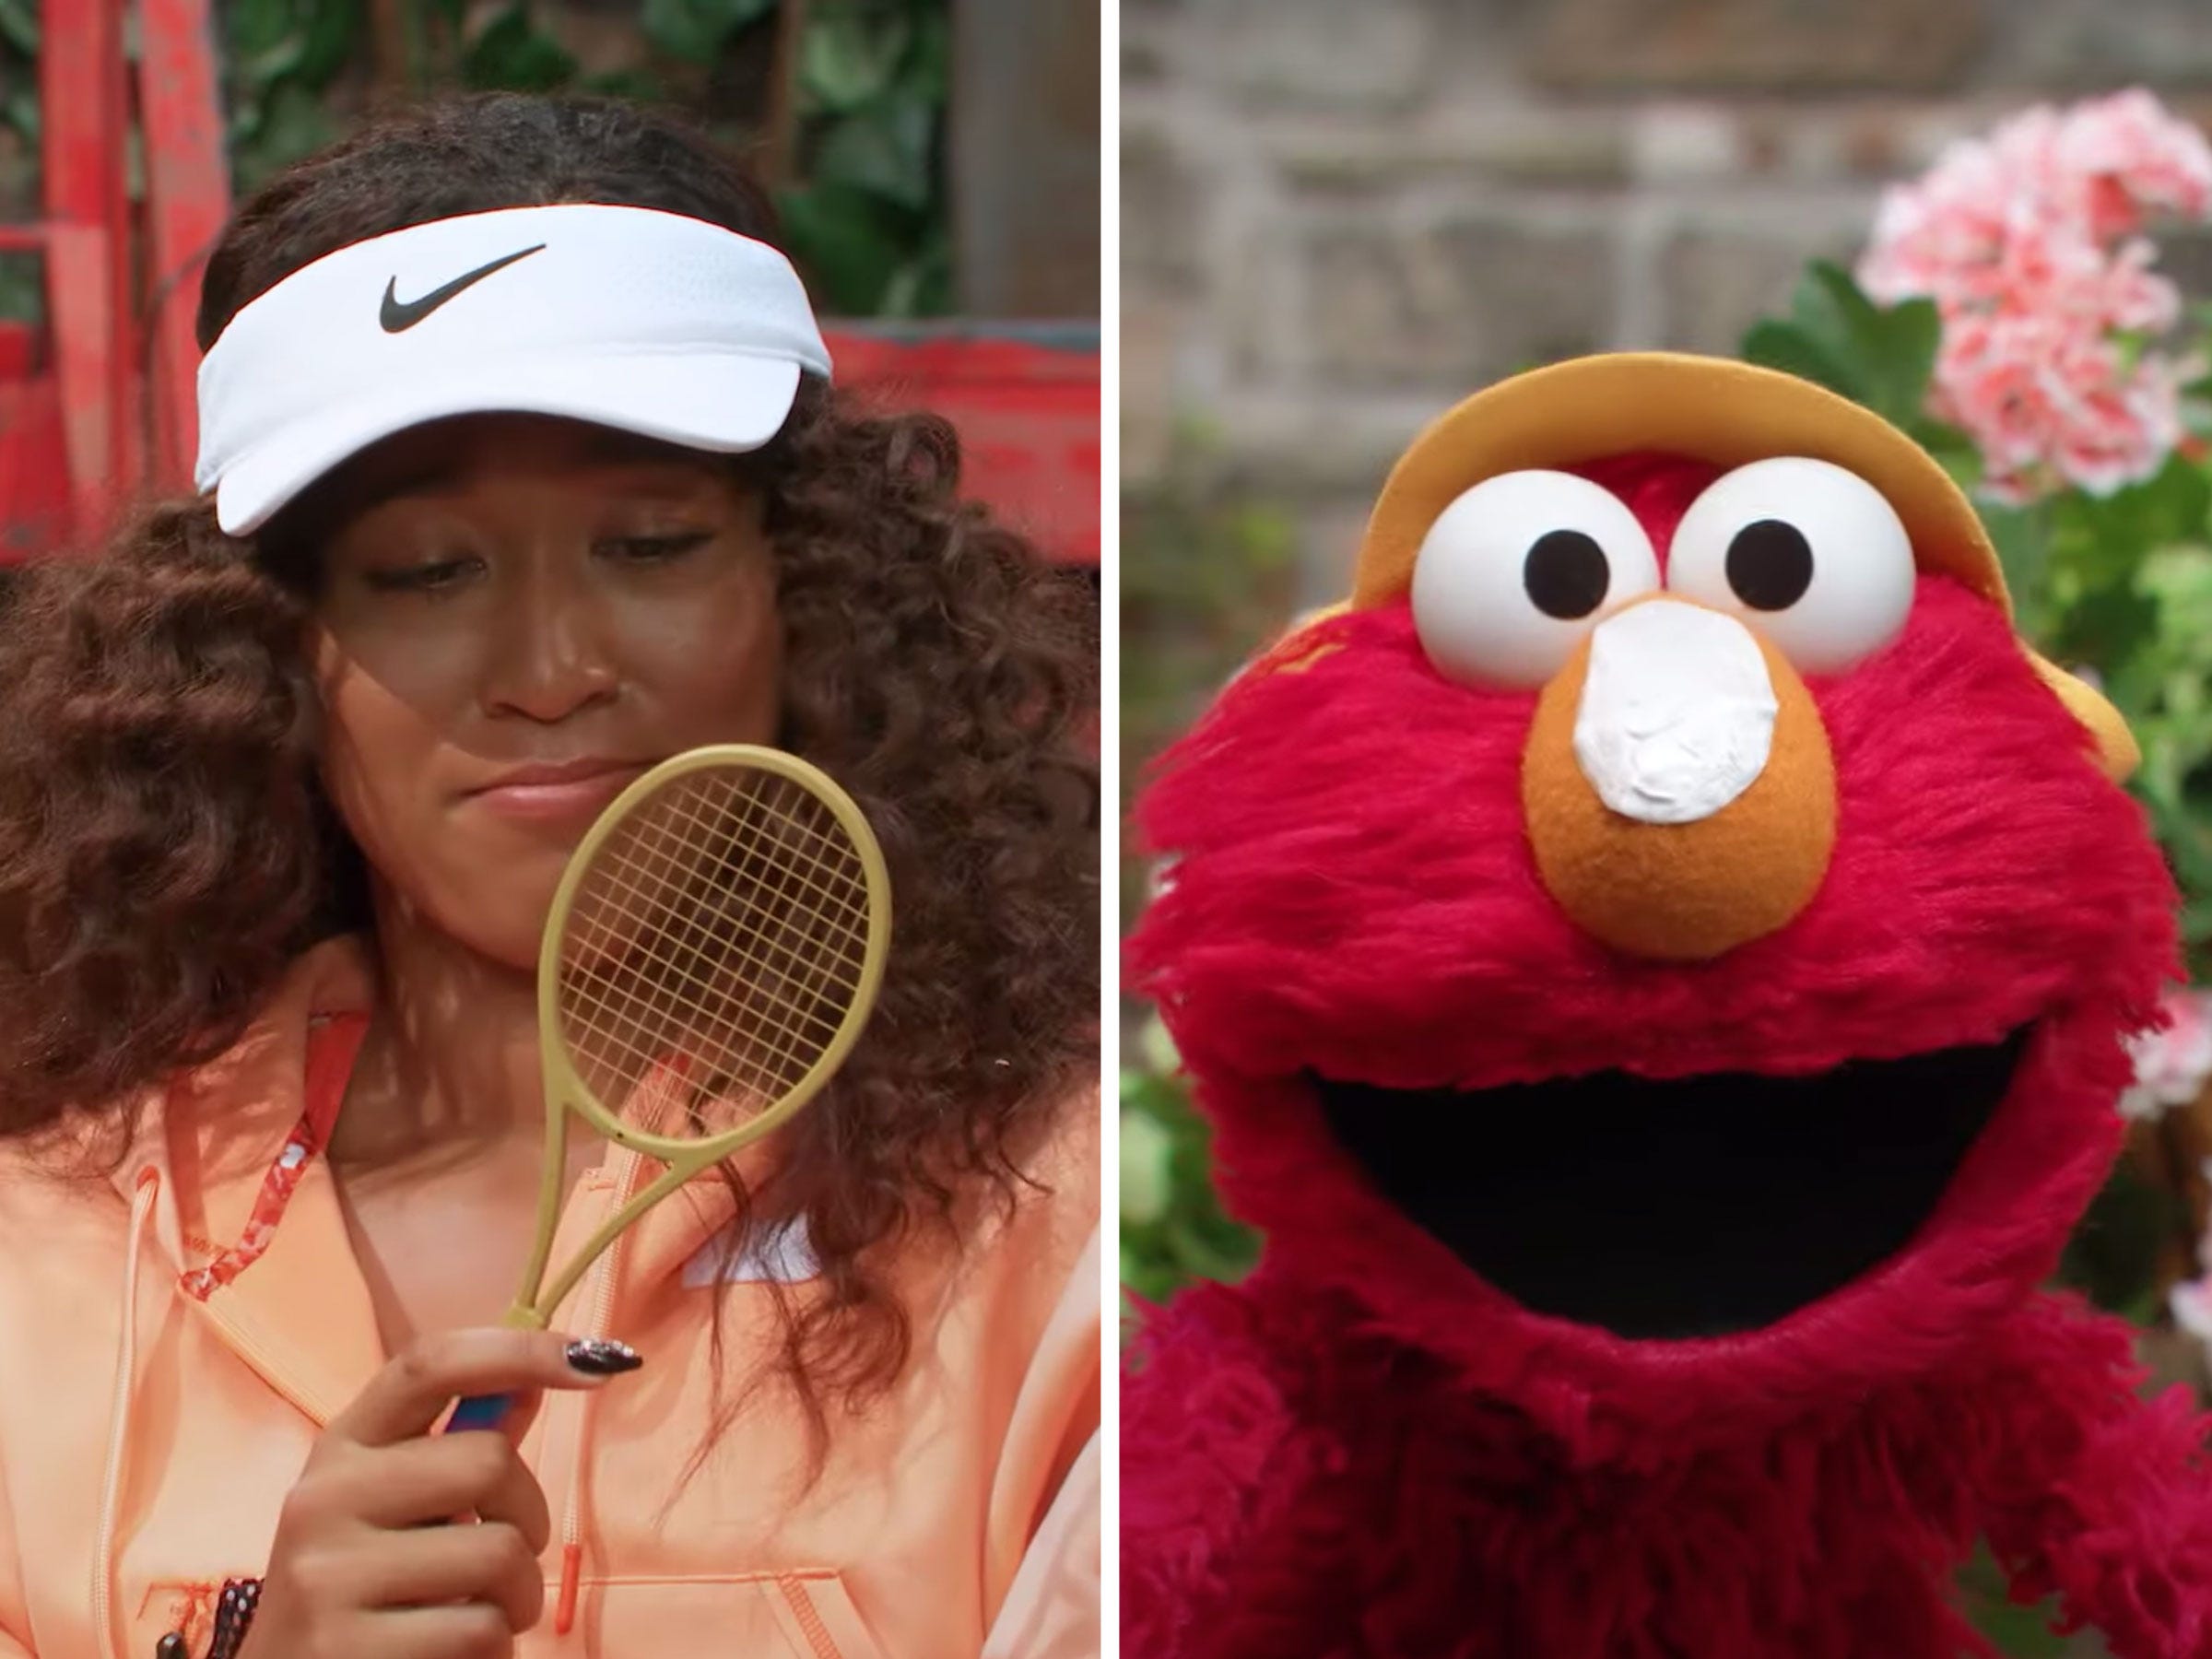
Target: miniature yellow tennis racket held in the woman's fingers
point(711, 957)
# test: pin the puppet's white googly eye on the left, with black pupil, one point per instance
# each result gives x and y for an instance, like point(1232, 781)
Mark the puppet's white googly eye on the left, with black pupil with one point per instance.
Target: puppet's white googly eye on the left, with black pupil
point(1519, 570)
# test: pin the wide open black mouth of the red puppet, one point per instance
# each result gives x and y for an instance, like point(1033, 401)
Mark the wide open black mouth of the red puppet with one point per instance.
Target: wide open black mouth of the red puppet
point(1678, 1209)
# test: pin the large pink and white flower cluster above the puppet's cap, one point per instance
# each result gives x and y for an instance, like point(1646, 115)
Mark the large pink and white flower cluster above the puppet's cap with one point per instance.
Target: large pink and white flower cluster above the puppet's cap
point(2027, 242)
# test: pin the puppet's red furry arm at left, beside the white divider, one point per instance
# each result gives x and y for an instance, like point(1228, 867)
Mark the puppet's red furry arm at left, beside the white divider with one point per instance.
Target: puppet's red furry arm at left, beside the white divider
point(1215, 1481)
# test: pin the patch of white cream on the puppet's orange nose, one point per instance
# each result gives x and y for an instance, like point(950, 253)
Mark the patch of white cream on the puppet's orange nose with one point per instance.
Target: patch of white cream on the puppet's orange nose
point(1678, 713)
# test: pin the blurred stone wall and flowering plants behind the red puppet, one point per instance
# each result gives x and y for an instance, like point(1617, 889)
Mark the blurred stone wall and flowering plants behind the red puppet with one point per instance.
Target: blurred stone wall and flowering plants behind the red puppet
point(1992, 220)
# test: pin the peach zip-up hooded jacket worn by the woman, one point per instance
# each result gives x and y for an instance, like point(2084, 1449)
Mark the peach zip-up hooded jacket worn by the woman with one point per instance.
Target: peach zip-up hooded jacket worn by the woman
point(174, 1339)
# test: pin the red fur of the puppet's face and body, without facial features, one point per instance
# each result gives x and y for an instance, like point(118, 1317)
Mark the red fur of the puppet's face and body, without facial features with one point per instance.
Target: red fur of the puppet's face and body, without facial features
point(1370, 1452)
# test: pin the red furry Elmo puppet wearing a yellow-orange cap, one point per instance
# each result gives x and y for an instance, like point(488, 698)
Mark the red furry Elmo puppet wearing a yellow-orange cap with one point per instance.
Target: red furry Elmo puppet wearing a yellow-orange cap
point(1658, 966)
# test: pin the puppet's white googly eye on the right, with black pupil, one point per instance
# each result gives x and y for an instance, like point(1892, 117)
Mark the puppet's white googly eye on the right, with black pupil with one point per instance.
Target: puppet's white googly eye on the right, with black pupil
point(1811, 554)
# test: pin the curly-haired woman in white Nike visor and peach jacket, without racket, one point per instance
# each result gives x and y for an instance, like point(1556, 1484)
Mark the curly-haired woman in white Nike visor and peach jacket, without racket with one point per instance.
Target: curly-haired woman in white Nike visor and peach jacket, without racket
point(521, 472)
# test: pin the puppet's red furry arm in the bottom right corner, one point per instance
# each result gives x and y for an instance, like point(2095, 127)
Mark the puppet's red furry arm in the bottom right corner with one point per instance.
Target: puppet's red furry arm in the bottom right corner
point(2089, 1492)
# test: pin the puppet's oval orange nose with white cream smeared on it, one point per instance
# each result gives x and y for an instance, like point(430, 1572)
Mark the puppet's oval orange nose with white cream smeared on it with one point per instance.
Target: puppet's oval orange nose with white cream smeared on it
point(1733, 839)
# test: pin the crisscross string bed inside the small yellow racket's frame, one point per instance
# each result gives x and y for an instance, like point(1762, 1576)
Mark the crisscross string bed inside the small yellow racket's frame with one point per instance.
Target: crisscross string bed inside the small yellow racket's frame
point(724, 932)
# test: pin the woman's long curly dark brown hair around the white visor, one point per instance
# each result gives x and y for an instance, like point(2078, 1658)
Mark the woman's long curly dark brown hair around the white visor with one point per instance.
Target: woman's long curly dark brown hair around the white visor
point(167, 851)
